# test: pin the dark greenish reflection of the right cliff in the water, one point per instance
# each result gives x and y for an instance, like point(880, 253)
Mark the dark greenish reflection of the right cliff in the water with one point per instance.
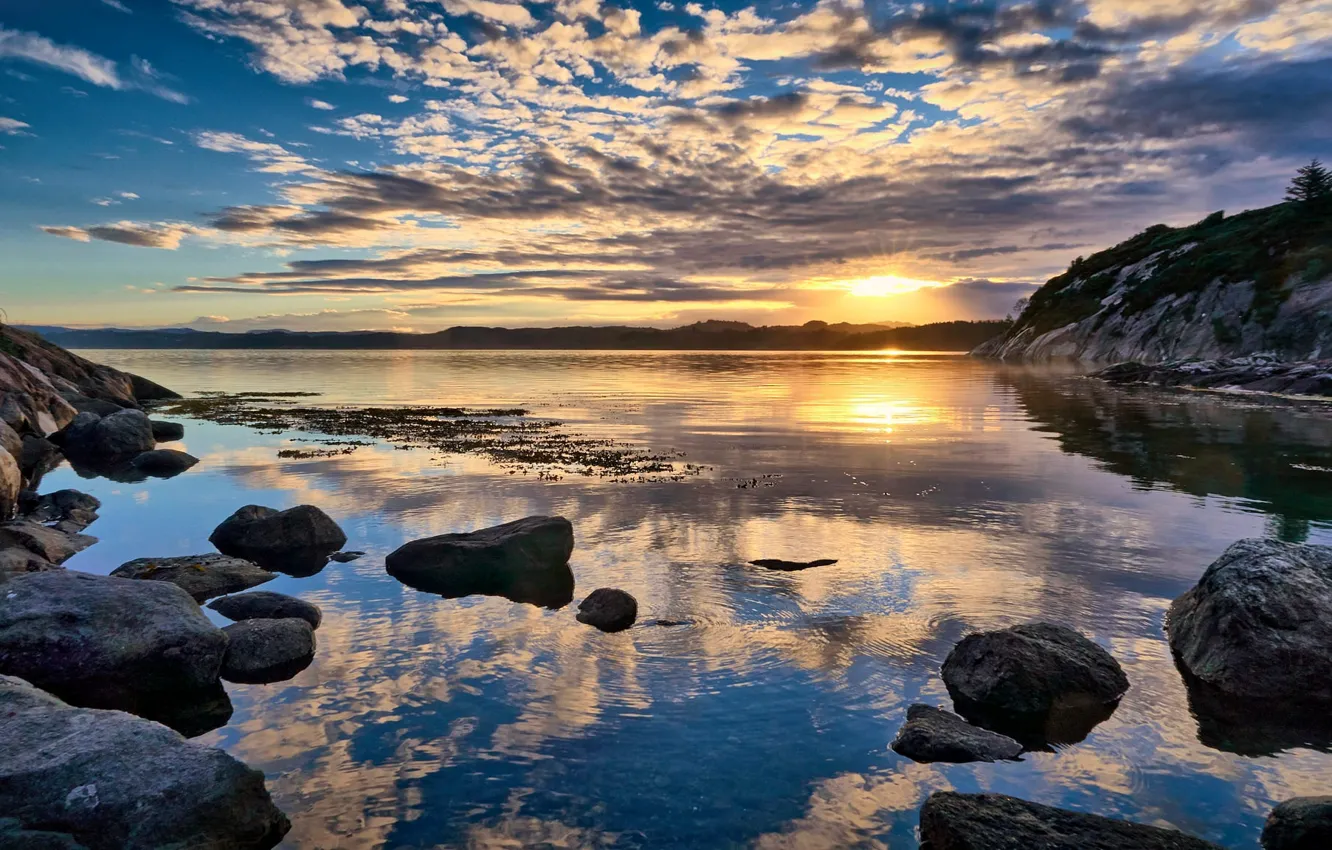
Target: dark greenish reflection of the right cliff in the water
point(1277, 458)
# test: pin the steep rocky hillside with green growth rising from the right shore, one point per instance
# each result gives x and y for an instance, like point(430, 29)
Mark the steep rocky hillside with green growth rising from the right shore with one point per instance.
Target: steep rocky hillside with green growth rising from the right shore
point(1226, 287)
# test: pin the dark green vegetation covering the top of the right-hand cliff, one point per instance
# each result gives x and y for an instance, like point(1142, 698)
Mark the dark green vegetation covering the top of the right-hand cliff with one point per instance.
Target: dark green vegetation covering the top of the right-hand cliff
point(1273, 247)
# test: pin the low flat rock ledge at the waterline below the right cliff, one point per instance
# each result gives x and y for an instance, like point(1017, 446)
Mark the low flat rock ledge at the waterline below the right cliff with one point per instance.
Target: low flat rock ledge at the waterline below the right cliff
point(1257, 374)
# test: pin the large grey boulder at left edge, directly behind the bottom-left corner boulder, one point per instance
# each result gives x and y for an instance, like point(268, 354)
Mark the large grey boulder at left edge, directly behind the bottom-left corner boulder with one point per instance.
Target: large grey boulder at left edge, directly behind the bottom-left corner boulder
point(98, 641)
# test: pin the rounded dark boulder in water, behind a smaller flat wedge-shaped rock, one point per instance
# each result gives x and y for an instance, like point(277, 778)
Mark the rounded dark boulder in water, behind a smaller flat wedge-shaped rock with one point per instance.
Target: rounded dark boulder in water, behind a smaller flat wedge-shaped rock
point(1038, 683)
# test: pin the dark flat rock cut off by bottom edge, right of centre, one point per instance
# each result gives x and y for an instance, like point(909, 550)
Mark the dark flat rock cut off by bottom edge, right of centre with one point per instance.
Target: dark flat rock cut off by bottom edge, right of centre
point(952, 821)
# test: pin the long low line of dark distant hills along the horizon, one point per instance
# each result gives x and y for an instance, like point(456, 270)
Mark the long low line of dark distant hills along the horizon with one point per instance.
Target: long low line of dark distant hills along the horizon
point(958, 336)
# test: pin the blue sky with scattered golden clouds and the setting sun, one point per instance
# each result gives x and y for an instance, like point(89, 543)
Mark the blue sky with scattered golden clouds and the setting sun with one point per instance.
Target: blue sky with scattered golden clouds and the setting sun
point(420, 165)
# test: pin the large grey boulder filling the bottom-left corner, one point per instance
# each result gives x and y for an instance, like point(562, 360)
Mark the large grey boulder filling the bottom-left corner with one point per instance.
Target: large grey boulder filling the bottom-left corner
point(111, 781)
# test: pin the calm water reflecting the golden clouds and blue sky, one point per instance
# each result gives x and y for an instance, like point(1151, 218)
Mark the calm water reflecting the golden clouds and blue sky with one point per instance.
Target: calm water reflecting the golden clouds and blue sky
point(957, 495)
